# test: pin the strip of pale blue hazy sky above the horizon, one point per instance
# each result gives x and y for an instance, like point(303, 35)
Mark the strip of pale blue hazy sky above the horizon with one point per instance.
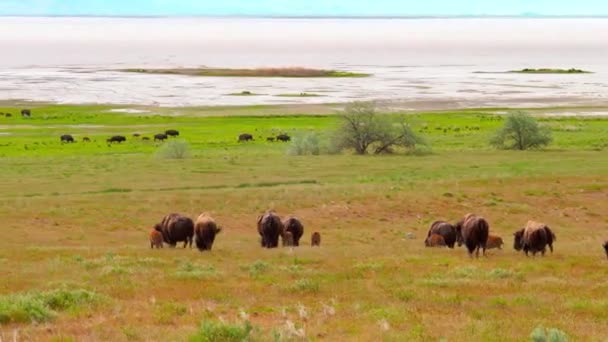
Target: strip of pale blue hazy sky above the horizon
point(303, 7)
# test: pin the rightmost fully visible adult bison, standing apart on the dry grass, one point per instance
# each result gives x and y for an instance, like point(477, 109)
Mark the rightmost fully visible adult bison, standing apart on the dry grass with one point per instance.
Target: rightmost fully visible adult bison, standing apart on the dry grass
point(534, 237)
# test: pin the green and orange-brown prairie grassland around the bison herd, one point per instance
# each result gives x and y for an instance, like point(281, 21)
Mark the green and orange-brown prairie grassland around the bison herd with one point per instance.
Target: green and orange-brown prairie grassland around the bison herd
point(76, 218)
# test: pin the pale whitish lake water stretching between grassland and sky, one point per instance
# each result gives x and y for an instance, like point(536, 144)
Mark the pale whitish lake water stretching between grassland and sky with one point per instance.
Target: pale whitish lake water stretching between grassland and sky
point(70, 60)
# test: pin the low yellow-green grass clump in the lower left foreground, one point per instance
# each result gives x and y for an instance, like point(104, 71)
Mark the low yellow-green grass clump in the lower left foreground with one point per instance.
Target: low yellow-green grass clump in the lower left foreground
point(43, 306)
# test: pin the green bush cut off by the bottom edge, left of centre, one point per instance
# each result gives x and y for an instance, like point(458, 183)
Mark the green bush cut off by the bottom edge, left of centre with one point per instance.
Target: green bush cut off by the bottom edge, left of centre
point(222, 332)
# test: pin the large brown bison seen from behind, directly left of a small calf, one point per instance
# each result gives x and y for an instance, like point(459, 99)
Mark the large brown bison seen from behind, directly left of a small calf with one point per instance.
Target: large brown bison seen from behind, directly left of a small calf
point(473, 232)
